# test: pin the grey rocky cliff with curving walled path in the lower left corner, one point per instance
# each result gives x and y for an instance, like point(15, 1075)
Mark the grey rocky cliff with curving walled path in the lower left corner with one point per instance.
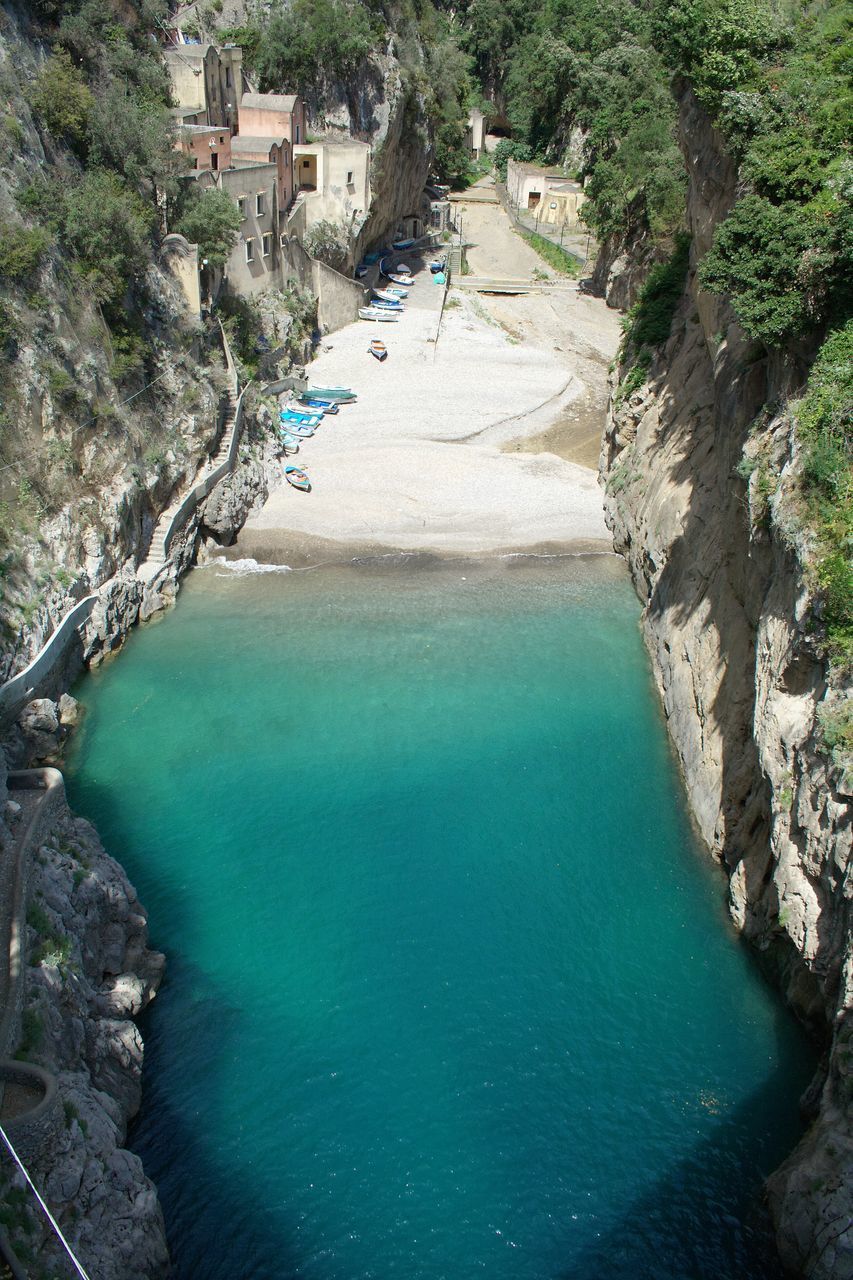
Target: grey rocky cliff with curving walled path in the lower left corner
point(89, 973)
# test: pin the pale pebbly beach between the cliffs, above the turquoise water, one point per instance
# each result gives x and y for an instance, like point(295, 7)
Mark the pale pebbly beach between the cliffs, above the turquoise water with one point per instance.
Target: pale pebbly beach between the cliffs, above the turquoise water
point(430, 459)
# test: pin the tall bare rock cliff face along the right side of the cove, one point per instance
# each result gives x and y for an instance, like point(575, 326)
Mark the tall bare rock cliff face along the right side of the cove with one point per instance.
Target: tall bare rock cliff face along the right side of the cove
point(729, 620)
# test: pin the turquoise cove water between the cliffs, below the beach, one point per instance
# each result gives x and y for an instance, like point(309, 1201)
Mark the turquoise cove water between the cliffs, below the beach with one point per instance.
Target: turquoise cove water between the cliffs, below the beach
point(451, 990)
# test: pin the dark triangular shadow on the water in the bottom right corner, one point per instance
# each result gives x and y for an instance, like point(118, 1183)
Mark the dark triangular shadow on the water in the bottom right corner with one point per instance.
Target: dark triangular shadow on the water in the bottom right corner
point(705, 1219)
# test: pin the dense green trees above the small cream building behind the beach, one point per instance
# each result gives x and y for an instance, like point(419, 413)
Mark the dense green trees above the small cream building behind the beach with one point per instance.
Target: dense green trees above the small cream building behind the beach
point(585, 66)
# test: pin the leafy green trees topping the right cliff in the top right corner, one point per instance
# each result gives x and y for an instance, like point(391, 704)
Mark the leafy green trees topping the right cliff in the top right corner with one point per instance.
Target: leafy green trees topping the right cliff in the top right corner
point(781, 92)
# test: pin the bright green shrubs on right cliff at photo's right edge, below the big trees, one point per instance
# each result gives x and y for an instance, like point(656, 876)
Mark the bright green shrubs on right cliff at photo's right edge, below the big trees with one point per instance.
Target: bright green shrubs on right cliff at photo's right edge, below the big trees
point(825, 429)
